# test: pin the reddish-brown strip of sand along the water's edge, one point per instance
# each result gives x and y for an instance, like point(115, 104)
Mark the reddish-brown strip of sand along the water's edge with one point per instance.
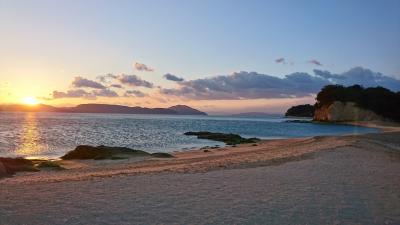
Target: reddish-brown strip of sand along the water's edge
point(263, 153)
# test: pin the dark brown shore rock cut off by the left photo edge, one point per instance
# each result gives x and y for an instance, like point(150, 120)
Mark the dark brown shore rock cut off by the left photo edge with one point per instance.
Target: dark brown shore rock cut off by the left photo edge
point(9, 166)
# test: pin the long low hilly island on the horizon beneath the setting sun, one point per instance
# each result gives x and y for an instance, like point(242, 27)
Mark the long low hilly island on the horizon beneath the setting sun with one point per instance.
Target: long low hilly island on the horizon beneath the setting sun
point(104, 108)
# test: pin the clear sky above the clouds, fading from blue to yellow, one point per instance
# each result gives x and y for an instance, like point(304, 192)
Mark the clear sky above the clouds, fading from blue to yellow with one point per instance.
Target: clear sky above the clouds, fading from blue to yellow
point(51, 42)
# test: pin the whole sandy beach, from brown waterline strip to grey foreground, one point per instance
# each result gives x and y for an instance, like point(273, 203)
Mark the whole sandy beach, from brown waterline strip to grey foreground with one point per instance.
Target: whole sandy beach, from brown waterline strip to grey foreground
point(351, 179)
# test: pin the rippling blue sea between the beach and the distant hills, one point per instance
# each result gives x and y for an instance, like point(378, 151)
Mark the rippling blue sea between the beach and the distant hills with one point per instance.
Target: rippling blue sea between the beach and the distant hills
point(51, 135)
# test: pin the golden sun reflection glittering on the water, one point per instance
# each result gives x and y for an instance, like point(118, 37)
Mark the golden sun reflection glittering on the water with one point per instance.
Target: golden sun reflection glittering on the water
point(29, 137)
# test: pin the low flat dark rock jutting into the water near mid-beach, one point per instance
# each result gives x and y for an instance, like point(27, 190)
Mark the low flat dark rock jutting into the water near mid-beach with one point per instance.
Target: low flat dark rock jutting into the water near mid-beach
point(230, 139)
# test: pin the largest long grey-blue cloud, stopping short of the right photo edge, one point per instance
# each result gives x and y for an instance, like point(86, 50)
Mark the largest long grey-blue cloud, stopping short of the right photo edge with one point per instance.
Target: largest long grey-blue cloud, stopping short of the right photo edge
point(248, 85)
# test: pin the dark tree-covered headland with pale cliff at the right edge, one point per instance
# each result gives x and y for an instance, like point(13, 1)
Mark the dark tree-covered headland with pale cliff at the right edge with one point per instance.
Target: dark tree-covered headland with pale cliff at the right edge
point(336, 103)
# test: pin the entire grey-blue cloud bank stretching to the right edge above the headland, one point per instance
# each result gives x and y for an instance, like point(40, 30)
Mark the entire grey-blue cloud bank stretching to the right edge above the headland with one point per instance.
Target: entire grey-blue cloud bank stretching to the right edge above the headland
point(252, 85)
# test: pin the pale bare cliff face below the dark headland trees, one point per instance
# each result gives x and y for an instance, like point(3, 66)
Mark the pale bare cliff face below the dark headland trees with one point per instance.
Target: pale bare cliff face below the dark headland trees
point(344, 111)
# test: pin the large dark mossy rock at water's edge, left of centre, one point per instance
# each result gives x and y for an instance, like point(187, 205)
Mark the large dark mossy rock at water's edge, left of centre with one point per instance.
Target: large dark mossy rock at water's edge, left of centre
point(102, 152)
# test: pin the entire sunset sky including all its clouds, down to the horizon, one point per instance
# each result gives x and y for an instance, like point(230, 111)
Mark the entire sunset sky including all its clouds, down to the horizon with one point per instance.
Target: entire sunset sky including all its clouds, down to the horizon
point(220, 56)
